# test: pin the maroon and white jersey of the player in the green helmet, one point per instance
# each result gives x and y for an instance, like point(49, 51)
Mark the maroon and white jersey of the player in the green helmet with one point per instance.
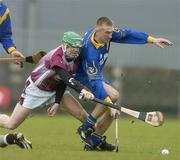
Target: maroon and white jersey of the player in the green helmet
point(43, 75)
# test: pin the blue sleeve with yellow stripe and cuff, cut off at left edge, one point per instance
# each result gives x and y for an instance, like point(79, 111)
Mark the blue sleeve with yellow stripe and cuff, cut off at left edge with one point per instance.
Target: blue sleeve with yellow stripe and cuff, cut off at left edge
point(5, 28)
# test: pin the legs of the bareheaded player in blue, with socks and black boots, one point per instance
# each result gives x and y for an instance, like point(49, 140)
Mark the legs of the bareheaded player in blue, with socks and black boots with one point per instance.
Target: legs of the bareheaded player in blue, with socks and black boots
point(94, 141)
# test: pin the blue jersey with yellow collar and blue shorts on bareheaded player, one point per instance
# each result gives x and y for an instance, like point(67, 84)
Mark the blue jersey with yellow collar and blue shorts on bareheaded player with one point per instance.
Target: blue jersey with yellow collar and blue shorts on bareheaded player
point(94, 56)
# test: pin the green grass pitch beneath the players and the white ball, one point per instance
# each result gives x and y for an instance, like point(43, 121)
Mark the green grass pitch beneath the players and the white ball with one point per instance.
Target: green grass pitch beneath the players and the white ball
point(56, 139)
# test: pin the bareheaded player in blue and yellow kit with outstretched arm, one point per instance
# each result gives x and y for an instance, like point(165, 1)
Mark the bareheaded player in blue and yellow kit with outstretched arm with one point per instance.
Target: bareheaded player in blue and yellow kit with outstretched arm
point(94, 55)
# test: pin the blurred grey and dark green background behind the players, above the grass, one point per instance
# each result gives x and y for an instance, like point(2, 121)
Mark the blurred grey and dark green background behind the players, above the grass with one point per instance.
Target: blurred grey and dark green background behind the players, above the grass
point(147, 77)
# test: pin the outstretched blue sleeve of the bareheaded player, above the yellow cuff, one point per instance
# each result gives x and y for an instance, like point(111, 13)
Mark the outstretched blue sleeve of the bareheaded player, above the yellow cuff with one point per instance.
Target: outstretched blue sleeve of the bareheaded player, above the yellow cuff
point(129, 36)
